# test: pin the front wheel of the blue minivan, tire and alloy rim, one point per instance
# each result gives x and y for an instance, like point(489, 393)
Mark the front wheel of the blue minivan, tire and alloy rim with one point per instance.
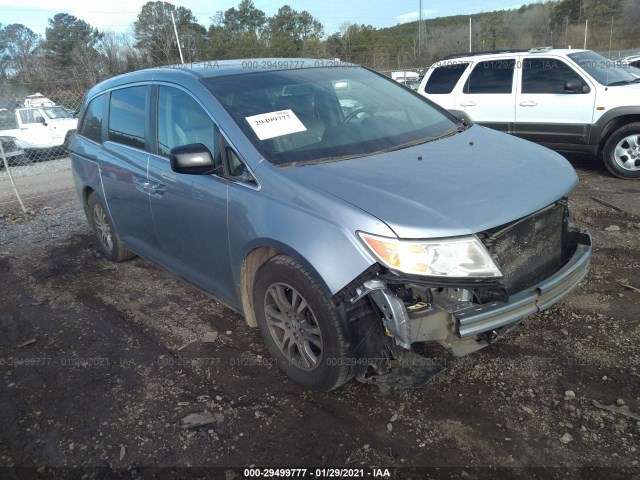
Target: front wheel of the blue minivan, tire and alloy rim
point(309, 345)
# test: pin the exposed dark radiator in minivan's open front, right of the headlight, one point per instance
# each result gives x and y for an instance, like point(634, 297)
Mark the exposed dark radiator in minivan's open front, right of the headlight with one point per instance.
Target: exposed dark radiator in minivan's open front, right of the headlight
point(530, 249)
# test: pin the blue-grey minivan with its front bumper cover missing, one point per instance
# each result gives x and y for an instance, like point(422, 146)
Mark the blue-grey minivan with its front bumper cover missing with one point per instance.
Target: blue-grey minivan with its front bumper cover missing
point(342, 214)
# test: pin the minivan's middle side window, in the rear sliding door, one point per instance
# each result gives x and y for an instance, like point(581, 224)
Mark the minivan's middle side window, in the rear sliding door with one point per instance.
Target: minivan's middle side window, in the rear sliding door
point(126, 116)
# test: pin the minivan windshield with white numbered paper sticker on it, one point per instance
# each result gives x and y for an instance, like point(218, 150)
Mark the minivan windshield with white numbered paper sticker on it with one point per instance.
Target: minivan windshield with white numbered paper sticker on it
point(322, 114)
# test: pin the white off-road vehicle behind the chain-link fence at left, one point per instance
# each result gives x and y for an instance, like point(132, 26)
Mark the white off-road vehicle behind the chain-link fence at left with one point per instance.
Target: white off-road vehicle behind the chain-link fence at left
point(35, 129)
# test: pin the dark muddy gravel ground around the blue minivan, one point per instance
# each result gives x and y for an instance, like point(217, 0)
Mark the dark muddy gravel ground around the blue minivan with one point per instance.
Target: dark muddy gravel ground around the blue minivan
point(103, 365)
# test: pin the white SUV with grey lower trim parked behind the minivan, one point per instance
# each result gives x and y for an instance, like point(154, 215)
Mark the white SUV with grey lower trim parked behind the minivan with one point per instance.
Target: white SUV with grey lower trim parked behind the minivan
point(568, 100)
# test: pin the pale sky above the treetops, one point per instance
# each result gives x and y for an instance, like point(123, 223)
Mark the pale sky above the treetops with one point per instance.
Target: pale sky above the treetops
point(119, 15)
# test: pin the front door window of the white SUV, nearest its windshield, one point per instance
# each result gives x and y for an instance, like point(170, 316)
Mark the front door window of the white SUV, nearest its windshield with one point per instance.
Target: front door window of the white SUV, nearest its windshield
point(548, 75)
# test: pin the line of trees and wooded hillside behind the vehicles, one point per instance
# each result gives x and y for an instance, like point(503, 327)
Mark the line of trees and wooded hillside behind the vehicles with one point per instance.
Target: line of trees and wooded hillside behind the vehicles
point(74, 55)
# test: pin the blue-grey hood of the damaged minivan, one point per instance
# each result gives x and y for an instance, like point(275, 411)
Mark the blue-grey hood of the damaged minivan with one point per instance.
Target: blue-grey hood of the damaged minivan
point(462, 184)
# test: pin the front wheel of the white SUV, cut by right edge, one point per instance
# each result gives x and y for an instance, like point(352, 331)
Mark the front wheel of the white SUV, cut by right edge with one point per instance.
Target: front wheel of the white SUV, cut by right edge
point(621, 152)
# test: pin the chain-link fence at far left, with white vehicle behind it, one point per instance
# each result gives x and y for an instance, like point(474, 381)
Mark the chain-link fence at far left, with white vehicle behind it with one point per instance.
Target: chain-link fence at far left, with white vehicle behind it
point(35, 134)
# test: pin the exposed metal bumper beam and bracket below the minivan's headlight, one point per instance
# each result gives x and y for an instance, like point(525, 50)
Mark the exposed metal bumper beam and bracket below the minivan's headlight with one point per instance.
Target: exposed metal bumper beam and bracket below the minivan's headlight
point(451, 318)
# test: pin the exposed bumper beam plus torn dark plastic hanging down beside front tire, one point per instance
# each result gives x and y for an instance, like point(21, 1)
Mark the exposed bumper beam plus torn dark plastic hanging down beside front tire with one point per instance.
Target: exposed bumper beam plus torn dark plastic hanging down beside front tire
point(448, 314)
